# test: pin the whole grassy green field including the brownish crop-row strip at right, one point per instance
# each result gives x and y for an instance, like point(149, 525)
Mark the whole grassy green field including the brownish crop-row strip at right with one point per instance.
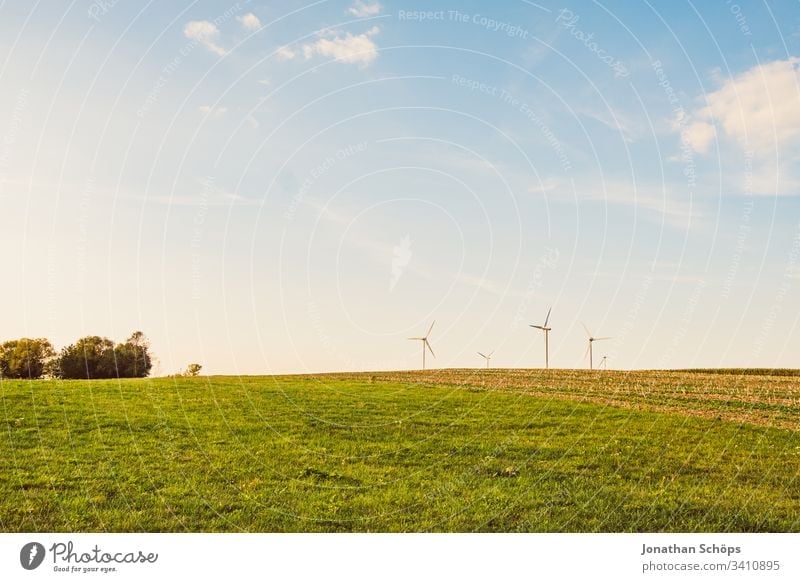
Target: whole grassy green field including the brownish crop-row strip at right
point(450, 450)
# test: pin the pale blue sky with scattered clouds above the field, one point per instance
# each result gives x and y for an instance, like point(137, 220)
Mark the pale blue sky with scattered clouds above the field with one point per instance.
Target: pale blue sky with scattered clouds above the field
point(288, 187)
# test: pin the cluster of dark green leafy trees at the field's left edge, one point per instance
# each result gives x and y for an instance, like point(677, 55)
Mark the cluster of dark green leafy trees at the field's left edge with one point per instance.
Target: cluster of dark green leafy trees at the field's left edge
point(88, 358)
